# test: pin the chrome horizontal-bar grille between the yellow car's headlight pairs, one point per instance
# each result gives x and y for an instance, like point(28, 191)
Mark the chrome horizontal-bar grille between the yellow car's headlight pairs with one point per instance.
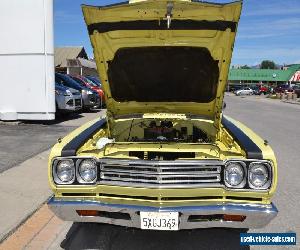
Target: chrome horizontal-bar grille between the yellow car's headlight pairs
point(162, 174)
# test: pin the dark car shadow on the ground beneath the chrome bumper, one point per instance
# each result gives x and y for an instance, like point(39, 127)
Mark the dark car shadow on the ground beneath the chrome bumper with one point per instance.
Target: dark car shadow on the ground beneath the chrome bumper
point(109, 237)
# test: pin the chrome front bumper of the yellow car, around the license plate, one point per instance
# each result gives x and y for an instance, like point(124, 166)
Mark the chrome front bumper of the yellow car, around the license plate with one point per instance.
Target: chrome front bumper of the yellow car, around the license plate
point(257, 215)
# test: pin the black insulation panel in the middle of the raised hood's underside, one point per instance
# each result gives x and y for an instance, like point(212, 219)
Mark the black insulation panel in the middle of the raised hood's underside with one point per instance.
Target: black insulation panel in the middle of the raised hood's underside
point(163, 74)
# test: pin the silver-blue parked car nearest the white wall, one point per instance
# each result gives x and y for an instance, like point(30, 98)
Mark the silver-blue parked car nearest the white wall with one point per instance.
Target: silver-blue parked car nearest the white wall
point(67, 99)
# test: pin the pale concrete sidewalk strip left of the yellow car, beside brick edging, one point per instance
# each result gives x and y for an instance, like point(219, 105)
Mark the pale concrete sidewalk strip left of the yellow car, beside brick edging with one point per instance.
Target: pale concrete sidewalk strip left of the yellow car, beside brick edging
point(24, 189)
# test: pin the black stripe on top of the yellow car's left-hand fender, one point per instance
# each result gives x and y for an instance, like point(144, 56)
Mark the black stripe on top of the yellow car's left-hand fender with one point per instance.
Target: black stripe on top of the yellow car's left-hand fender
point(71, 148)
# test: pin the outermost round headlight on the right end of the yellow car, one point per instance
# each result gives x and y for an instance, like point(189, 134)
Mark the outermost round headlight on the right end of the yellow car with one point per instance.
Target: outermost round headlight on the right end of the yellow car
point(258, 176)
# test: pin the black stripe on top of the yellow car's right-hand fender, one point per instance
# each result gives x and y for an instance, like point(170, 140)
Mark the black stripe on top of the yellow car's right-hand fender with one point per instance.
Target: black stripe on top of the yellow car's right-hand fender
point(251, 149)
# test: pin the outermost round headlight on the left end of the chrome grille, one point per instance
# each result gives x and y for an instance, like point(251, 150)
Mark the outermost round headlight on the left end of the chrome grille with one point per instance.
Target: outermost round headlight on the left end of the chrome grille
point(64, 172)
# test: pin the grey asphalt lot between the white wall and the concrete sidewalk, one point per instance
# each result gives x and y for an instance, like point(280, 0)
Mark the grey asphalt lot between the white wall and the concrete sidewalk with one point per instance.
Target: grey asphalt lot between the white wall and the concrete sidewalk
point(24, 140)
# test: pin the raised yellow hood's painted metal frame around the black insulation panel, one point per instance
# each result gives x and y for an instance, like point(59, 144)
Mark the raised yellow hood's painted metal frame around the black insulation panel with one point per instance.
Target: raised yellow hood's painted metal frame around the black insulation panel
point(218, 42)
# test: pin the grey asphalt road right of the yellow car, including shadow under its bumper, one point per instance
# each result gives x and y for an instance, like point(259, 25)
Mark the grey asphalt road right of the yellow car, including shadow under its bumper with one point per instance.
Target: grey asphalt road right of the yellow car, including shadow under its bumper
point(273, 120)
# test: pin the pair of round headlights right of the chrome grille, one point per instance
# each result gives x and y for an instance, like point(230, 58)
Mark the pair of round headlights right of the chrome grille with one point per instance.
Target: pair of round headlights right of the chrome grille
point(257, 175)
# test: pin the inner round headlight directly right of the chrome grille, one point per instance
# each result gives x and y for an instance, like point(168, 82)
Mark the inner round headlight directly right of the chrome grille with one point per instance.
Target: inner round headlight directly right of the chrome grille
point(235, 175)
